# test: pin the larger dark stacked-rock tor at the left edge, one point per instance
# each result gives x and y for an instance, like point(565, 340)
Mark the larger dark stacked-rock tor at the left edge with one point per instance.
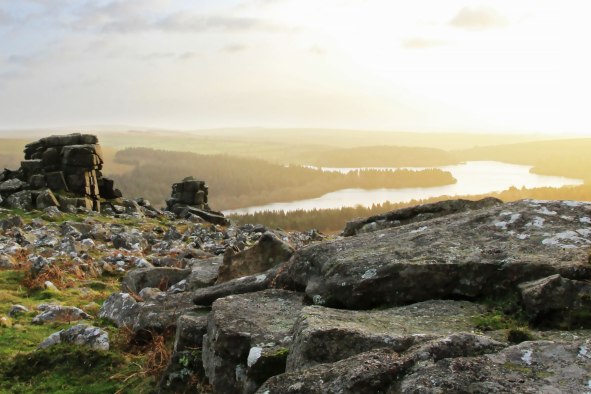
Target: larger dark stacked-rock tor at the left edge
point(70, 164)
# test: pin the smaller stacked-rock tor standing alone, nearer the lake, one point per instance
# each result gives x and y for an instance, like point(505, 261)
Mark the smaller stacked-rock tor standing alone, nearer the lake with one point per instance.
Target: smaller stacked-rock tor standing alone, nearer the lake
point(189, 198)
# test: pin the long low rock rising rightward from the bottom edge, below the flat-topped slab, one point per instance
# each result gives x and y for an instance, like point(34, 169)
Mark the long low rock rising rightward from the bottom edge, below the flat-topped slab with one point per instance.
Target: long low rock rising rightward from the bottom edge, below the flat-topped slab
point(375, 371)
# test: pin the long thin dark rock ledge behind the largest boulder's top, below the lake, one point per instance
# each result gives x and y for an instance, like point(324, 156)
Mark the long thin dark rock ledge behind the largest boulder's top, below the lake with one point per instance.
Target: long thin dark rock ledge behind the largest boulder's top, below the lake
point(415, 214)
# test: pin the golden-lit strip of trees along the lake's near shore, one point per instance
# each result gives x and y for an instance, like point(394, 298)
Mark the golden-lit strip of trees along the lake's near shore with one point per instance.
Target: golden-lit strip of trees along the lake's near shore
point(334, 220)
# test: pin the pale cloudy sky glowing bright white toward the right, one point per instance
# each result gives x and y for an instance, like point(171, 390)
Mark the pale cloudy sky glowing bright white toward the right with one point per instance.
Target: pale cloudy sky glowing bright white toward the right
point(442, 65)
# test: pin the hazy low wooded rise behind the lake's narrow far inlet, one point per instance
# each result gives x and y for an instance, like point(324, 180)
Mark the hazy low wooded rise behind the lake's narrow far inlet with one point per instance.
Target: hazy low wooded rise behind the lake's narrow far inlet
point(385, 156)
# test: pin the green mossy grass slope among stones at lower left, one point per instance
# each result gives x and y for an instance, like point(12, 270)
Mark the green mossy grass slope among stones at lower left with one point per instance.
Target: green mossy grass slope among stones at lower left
point(66, 369)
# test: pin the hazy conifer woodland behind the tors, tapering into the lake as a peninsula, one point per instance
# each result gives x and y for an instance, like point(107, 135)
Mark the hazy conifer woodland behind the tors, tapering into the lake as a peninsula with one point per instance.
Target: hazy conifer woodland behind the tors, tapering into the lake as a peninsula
point(237, 182)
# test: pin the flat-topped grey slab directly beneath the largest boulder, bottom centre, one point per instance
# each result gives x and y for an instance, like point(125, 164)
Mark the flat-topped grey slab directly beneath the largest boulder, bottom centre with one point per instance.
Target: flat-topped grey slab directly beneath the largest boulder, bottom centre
point(324, 335)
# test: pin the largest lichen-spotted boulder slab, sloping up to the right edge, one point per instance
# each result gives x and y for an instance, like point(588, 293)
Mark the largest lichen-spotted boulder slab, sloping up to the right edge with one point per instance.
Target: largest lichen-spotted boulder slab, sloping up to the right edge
point(468, 254)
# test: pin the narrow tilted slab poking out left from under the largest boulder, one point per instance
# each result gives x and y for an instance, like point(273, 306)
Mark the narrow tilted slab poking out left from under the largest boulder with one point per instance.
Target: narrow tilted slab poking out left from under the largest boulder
point(247, 284)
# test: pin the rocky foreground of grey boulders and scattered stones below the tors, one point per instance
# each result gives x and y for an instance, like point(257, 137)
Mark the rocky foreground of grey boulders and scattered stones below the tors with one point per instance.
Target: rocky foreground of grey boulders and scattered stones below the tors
point(458, 296)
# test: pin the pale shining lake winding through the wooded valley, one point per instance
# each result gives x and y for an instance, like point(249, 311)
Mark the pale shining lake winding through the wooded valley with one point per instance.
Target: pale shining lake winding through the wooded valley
point(475, 177)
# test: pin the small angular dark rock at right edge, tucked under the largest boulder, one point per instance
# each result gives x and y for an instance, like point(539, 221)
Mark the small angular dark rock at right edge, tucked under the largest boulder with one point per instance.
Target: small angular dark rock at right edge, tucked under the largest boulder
point(553, 293)
